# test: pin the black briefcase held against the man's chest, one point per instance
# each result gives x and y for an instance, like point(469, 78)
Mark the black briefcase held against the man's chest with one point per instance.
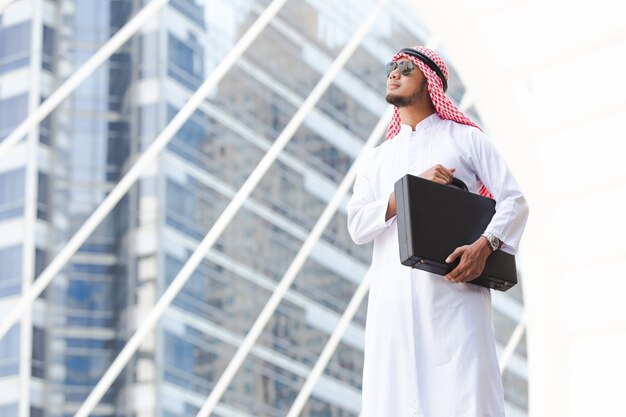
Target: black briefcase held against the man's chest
point(434, 219)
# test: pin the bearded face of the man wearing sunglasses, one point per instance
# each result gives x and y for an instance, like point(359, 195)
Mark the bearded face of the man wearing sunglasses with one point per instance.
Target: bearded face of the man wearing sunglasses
point(406, 90)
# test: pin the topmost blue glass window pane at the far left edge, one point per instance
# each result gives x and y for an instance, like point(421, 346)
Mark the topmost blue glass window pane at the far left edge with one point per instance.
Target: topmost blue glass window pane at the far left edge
point(14, 47)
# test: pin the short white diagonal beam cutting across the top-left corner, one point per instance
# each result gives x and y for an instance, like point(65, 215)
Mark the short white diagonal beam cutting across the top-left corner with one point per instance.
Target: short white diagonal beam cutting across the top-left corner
point(81, 74)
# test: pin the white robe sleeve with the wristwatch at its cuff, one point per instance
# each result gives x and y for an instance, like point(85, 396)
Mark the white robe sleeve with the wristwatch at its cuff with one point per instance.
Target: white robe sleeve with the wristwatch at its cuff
point(511, 208)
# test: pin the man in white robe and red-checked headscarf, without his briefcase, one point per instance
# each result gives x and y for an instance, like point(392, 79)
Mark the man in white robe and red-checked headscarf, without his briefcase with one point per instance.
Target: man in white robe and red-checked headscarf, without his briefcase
point(429, 345)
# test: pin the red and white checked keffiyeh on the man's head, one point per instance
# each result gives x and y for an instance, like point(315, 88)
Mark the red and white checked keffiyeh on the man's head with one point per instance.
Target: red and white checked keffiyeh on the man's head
point(443, 106)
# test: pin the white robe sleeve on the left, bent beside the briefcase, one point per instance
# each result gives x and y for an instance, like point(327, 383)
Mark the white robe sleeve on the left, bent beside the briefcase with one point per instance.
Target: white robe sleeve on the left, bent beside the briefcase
point(366, 213)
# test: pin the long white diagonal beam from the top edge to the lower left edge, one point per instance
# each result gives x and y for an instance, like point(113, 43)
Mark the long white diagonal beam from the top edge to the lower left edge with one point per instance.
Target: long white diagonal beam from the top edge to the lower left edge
point(139, 167)
